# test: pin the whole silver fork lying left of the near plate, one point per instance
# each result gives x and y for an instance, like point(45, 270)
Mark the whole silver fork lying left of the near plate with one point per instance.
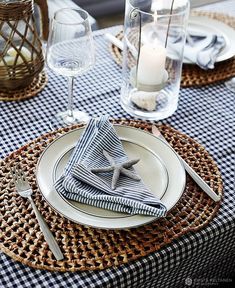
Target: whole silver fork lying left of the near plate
point(23, 188)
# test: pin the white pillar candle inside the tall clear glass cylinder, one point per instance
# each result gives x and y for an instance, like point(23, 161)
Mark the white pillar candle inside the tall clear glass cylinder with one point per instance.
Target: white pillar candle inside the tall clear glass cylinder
point(151, 65)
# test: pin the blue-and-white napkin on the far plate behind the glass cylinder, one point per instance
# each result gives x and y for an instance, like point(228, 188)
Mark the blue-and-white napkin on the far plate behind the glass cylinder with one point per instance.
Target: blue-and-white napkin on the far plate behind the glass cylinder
point(203, 49)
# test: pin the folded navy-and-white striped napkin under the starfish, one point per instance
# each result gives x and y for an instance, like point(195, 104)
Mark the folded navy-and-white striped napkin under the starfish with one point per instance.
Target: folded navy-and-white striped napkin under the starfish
point(80, 184)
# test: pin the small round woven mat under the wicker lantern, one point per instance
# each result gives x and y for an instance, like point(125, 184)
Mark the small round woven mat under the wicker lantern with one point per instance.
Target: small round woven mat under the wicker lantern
point(32, 90)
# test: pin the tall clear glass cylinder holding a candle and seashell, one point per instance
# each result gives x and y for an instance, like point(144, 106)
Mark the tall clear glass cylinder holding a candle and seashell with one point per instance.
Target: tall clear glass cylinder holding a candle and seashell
point(154, 39)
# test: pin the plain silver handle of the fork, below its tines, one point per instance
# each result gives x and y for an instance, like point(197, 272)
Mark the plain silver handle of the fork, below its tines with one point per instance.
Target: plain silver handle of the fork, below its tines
point(50, 239)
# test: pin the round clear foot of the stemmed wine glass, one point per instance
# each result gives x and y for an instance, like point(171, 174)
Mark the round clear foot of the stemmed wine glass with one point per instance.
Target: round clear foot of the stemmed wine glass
point(63, 119)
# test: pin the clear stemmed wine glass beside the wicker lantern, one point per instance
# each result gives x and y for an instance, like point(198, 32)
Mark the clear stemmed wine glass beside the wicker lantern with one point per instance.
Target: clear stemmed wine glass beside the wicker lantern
point(70, 53)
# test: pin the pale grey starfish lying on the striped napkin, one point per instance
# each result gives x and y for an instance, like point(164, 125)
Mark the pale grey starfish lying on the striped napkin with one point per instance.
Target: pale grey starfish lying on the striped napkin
point(117, 169)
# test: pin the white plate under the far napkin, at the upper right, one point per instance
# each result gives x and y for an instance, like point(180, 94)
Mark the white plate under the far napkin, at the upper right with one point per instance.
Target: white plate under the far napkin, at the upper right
point(204, 25)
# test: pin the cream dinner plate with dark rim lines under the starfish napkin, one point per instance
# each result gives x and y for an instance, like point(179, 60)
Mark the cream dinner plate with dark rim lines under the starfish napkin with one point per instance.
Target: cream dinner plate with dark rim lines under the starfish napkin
point(159, 168)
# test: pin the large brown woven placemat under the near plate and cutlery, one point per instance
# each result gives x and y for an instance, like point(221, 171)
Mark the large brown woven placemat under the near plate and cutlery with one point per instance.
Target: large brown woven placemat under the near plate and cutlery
point(87, 248)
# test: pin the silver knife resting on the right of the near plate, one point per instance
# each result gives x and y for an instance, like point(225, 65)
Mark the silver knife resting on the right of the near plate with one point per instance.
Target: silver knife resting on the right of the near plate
point(201, 183)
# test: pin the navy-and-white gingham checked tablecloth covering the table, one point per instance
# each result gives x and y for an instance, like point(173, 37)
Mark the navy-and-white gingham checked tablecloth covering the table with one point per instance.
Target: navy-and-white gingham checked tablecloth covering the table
point(204, 113)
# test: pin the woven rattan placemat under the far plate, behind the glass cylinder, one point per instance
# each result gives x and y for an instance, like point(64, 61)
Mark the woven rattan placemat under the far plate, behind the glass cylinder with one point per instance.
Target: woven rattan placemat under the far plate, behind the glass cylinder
point(192, 75)
